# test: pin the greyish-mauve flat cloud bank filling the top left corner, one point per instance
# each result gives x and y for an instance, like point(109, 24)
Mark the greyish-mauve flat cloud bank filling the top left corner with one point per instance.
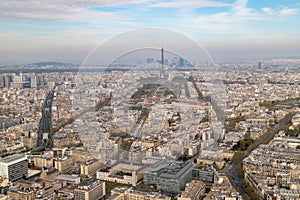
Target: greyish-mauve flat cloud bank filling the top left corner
point(75, 10)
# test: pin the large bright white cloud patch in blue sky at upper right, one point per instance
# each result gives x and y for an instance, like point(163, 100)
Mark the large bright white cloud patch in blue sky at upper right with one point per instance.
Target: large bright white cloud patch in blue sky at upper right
point(239, 20)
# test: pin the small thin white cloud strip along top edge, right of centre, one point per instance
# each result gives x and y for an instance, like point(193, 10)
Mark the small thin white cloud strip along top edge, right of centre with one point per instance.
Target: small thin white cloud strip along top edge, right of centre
point(190, 4)
